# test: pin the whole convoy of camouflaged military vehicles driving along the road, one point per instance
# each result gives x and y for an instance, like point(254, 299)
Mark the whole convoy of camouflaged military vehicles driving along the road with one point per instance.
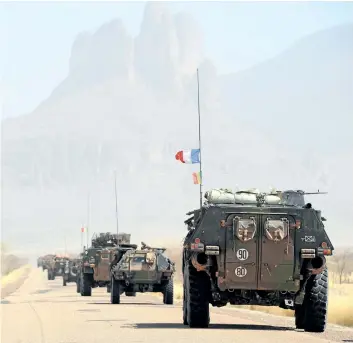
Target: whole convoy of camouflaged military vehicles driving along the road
point(242, 248)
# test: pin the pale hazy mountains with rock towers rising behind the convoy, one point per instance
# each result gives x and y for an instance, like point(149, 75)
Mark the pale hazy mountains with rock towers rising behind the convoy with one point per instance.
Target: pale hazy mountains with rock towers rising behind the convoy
point(129, 103)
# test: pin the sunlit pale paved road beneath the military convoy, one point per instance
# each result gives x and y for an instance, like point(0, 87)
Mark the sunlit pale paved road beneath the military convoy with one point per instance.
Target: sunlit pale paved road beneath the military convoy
point(44, 311)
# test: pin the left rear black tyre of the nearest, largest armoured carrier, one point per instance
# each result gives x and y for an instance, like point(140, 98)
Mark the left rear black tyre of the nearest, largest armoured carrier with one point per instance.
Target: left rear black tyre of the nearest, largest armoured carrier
point(197, 297)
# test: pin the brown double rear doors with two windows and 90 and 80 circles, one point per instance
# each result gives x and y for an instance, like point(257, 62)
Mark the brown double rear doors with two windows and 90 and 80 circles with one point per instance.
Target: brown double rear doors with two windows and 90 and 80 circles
point(260, 251)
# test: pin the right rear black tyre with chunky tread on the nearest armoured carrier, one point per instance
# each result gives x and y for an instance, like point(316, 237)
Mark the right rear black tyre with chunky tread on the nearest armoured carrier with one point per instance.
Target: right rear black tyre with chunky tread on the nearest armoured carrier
point(315, 302)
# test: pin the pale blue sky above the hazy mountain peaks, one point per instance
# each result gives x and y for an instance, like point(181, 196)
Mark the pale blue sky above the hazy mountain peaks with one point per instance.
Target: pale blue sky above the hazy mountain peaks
point(36, 38)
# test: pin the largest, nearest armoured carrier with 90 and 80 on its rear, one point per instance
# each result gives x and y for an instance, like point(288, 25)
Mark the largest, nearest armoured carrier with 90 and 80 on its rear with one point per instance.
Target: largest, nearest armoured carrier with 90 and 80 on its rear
point(256, 248)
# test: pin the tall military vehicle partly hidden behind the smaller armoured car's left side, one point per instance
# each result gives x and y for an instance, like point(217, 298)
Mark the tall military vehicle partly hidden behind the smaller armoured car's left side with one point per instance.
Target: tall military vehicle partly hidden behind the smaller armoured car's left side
point(95, 266)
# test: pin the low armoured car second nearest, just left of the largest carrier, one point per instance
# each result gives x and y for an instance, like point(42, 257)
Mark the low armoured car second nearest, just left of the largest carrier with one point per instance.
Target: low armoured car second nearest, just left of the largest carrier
point(141, 270)
